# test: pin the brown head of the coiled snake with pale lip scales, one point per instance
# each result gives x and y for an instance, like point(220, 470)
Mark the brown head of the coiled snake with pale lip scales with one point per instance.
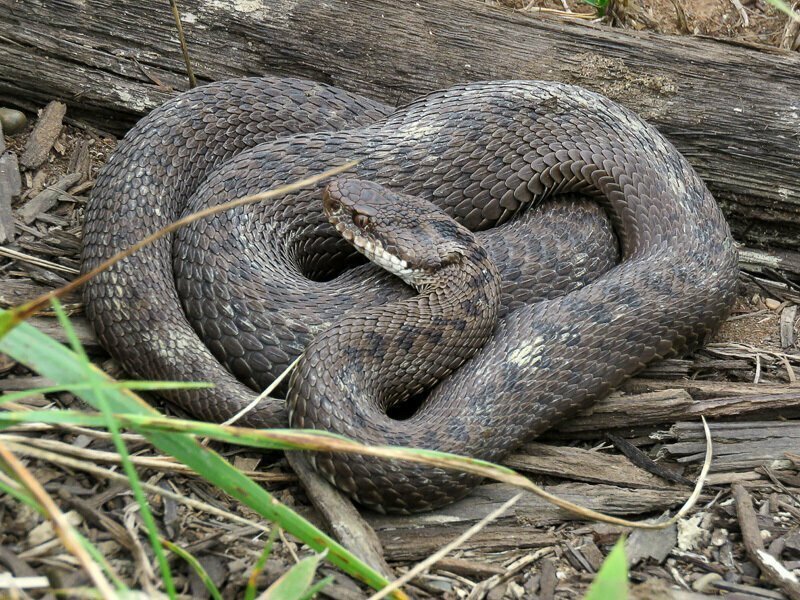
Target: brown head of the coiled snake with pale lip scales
point(406, 235)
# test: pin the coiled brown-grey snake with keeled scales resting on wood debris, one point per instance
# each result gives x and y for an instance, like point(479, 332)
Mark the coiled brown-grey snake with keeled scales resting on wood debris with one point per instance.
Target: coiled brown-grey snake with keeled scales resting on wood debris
point(611, 253)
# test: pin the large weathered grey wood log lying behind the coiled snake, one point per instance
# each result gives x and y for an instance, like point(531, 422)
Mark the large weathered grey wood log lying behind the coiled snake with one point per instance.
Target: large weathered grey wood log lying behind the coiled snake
point(733, 111)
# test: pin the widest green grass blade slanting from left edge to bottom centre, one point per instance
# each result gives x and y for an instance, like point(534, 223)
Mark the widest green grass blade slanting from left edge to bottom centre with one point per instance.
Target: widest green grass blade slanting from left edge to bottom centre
point(49, 358)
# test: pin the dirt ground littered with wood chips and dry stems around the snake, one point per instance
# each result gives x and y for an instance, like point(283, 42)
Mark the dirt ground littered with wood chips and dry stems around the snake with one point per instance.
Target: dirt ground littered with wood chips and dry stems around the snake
point(747, 374)
